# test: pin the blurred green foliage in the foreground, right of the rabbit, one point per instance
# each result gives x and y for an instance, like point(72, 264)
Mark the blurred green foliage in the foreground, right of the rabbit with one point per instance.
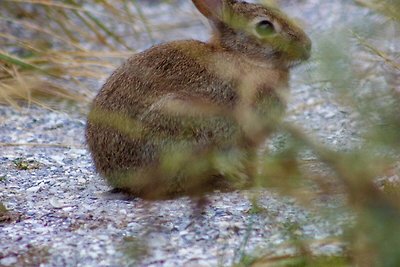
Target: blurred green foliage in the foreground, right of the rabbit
point(360, 64)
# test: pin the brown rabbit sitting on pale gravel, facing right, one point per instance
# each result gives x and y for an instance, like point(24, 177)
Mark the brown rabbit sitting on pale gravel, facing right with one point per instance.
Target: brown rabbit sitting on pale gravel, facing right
point(186, 117)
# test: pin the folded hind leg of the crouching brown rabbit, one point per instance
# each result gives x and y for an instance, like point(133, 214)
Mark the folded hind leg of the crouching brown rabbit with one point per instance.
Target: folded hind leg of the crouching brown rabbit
point(197, 146)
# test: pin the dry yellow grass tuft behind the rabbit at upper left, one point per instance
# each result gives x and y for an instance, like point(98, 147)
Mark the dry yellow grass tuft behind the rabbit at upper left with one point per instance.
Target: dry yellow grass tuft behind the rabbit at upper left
point(54, 49)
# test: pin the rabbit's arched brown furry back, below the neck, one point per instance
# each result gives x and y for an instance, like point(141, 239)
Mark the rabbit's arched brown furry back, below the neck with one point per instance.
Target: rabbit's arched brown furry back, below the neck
point(177, 67)
